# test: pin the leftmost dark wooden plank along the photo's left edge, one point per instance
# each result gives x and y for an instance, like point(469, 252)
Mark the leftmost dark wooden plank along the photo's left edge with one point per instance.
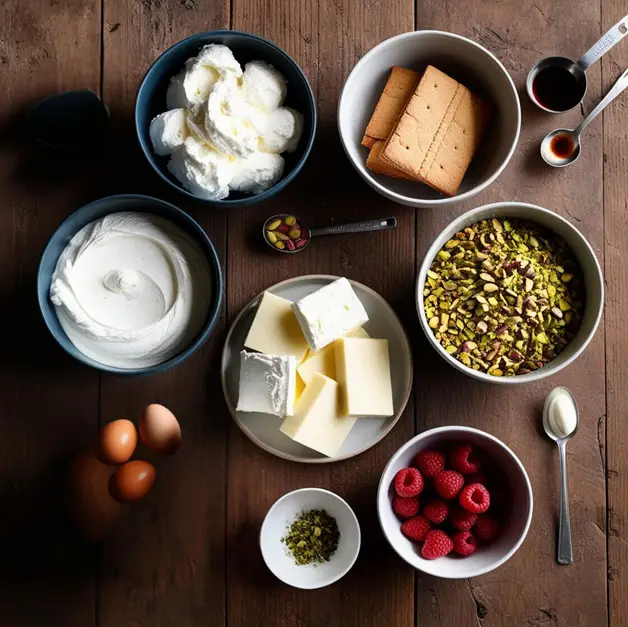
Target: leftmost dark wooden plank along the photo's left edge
point(48, 400)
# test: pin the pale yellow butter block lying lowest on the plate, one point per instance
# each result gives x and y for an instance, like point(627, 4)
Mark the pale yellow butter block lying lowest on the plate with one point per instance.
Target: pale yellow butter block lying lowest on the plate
point(317, 422)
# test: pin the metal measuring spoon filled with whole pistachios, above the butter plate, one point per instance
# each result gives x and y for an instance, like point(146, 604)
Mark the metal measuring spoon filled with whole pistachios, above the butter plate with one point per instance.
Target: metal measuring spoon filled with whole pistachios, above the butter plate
point(286, 233)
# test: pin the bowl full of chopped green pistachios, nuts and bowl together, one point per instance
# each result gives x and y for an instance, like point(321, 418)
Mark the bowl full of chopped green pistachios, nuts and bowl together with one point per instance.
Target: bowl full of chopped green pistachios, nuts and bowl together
point(510, 293)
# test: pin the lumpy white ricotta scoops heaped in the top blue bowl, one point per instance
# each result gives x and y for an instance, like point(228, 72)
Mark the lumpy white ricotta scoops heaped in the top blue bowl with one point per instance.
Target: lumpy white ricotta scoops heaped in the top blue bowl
point(226, 127)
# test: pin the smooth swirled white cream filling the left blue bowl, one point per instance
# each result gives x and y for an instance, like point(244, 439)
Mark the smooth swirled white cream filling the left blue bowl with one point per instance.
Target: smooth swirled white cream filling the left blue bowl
point(131, 290)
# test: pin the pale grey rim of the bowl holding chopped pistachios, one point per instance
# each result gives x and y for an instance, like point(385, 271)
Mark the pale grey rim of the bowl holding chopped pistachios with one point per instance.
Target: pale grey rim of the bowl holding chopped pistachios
point(466, 219)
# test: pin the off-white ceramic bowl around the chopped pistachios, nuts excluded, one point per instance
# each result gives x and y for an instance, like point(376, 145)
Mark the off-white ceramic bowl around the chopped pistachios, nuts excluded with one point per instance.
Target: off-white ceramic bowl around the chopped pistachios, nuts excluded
point(593, 284)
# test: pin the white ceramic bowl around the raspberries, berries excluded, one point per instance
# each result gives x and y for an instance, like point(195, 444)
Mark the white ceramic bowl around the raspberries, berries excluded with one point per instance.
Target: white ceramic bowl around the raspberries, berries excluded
point(486, 558)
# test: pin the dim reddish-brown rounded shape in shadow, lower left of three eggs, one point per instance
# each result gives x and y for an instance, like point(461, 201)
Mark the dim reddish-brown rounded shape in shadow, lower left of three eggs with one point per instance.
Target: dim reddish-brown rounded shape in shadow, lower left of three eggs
point(93, 510)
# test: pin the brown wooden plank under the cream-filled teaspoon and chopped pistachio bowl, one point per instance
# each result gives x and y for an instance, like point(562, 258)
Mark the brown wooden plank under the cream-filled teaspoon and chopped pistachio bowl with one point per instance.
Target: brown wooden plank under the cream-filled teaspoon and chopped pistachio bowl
point(531, 589)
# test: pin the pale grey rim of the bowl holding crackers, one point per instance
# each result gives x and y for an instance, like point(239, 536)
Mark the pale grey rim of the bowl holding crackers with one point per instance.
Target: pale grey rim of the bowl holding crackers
point(444, 201)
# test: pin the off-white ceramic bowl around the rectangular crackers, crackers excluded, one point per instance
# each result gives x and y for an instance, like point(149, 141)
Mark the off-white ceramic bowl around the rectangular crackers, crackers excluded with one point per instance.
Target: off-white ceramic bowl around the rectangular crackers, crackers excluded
point(464, 60)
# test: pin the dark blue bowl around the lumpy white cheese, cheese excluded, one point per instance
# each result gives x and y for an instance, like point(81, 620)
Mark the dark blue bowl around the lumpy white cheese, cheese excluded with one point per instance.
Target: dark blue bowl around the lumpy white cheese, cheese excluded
point(151, 101)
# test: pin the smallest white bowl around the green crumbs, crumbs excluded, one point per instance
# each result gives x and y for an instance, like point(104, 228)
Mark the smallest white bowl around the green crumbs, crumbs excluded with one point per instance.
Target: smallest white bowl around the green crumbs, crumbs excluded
point(277, 522)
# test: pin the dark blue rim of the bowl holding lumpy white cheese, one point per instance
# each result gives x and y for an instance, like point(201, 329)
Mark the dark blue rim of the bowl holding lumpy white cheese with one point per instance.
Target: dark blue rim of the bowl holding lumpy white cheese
point(253, 198)
